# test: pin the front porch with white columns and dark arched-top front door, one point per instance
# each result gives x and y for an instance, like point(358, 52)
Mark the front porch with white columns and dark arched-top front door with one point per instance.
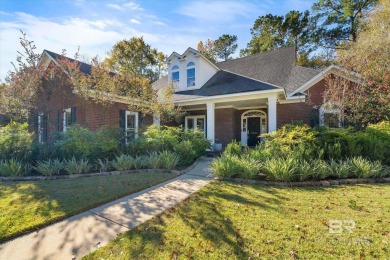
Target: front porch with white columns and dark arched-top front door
point(241, 120)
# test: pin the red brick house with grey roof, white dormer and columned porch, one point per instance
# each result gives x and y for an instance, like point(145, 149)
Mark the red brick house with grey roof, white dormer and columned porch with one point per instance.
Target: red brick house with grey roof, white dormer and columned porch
point(232, 100)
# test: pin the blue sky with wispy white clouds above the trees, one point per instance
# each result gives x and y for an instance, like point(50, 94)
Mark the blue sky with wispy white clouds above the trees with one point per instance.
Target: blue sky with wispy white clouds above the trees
point(95, 26)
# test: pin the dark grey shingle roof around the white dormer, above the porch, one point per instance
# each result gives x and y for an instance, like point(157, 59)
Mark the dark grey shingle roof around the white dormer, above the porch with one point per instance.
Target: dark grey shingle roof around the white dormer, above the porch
point(267, 70)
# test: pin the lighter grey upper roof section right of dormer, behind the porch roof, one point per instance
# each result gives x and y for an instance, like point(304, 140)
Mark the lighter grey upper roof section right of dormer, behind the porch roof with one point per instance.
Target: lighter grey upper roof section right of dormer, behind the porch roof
point(274, 67)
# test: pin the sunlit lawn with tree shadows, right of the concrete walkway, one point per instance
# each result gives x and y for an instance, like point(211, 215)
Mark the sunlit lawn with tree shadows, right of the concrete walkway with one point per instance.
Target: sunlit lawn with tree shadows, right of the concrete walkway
point(236, 221)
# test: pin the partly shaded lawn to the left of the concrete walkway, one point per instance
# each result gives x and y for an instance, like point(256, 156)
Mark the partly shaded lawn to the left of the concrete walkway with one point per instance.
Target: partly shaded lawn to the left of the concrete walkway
point(27, 206)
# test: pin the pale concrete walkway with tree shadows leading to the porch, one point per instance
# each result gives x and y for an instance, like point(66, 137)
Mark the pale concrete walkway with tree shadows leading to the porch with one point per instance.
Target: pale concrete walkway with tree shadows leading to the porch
point(78, 235)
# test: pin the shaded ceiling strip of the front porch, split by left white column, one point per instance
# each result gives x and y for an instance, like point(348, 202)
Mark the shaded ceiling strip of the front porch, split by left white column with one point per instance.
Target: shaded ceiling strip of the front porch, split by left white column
point(242, 104)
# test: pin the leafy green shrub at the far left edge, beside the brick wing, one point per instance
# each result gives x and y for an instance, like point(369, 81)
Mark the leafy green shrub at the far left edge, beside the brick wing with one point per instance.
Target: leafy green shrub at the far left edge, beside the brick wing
point(15, 142)
